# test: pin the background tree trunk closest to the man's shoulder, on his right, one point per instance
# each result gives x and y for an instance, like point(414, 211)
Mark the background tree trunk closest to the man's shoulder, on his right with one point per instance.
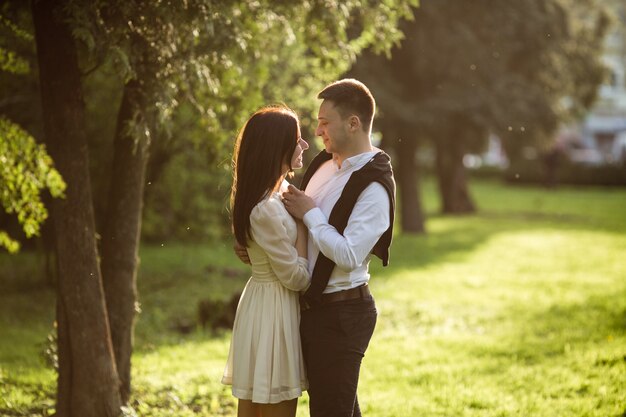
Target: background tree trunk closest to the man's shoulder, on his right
point(412, 214)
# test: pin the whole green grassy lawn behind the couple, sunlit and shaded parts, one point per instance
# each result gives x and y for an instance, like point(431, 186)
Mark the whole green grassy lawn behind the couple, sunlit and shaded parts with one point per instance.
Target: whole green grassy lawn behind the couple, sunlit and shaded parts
point(519, 310)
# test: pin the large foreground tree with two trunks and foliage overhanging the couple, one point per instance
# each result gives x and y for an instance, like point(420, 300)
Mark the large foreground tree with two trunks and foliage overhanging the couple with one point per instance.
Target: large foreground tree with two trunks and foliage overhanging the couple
point(197, 51)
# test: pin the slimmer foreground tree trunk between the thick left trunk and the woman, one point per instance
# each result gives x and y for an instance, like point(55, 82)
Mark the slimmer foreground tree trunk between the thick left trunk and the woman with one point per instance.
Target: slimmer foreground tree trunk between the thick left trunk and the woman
point(121, 233)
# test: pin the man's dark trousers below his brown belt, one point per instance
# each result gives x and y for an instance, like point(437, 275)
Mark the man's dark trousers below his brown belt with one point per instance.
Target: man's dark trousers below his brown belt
point(334, 339)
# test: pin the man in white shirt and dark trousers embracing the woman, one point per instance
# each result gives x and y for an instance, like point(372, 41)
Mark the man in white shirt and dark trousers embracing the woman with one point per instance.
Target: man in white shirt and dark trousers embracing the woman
point(348, 206)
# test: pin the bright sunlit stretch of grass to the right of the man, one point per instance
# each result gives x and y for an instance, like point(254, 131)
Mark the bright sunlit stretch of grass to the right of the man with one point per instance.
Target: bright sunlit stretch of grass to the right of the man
point(530, 321)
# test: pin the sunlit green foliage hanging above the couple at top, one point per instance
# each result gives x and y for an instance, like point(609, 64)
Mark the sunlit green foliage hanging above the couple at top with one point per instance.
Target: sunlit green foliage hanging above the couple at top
point(229, 58)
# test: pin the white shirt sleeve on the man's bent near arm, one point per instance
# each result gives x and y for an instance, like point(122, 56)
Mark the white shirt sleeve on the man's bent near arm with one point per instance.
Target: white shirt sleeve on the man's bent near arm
point(367, 223)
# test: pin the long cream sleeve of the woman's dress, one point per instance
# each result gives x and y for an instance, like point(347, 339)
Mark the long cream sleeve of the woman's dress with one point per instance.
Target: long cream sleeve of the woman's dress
point(269, 232)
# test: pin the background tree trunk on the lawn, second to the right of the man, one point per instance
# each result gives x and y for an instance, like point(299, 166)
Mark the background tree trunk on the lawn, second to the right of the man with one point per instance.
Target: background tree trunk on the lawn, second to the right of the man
point(452, 177)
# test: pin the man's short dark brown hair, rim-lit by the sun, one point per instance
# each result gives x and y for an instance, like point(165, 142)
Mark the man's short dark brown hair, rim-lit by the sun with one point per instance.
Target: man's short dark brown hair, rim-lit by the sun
point(351, 96)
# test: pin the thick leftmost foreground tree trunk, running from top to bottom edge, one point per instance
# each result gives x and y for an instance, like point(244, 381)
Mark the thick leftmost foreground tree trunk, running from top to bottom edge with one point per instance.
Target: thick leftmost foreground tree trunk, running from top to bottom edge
point(88, 382)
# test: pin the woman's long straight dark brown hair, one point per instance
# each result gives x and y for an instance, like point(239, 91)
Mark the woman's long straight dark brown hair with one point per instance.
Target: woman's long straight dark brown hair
point(266, 142)
